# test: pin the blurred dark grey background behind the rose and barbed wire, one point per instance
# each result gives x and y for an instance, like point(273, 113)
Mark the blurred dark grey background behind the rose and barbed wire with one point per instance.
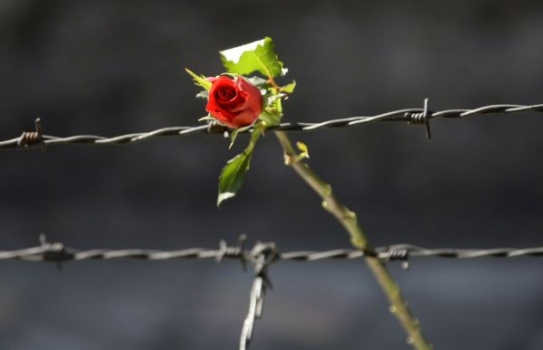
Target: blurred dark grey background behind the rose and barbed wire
point(113, 67)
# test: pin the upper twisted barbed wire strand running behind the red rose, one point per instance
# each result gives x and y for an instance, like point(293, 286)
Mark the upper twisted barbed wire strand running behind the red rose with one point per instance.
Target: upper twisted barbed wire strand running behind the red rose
point(36, 138)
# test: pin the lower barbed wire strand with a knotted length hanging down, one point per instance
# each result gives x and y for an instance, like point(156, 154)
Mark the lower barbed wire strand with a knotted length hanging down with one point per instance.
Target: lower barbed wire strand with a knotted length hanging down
point(261, 256)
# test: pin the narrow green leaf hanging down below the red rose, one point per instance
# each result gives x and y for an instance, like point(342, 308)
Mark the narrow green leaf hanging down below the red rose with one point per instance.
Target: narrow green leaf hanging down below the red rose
point(232, 175)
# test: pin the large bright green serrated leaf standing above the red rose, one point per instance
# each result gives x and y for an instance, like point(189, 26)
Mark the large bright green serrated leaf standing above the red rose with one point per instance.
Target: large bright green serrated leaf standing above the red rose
point(257, 56)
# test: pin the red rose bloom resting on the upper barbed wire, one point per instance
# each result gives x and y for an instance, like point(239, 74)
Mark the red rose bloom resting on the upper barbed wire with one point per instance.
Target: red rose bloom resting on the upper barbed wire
point(234, 102)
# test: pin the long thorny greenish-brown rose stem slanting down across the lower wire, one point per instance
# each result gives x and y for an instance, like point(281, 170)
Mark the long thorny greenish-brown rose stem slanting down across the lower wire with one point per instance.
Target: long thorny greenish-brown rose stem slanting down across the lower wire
point(398, 306)
